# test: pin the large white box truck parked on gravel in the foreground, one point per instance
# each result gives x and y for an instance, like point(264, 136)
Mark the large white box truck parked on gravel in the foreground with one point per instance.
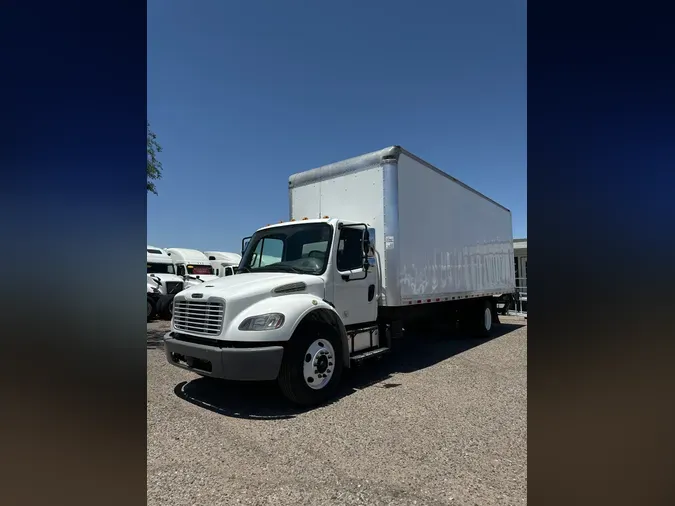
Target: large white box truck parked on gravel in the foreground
point(374, 244)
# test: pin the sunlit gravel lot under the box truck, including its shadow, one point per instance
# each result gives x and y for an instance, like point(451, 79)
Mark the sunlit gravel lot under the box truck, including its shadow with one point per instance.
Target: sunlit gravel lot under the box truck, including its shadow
point(441, 421)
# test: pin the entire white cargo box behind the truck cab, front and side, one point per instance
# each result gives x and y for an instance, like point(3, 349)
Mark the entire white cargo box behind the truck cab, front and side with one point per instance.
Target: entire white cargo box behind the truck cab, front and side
point(437, 238)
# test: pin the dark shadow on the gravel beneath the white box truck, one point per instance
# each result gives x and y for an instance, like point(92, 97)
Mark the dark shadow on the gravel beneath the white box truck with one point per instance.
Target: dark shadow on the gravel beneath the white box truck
point(263, 401)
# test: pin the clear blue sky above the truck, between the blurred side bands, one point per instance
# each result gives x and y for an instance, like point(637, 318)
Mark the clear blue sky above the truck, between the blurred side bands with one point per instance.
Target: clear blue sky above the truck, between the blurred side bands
point(243, 94)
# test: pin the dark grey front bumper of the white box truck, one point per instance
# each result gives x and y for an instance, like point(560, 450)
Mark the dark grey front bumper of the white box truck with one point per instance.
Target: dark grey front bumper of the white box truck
point(242, 364)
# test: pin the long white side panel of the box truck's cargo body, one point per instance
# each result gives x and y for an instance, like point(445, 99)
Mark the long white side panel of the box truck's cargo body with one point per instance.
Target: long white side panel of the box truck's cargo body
point(453, 243)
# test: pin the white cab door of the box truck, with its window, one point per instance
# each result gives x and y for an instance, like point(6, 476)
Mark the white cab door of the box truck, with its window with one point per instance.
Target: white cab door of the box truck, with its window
point(355, 286)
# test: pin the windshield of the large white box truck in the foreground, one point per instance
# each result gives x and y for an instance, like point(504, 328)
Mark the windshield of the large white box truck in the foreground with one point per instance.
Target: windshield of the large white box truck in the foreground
point(294, 248)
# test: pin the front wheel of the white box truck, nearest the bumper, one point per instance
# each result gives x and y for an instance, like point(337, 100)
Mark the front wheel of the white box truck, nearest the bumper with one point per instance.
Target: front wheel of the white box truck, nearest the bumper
point(322, 345)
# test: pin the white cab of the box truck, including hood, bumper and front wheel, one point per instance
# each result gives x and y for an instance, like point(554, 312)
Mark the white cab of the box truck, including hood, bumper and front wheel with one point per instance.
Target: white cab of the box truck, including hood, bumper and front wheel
point(315, 281)
